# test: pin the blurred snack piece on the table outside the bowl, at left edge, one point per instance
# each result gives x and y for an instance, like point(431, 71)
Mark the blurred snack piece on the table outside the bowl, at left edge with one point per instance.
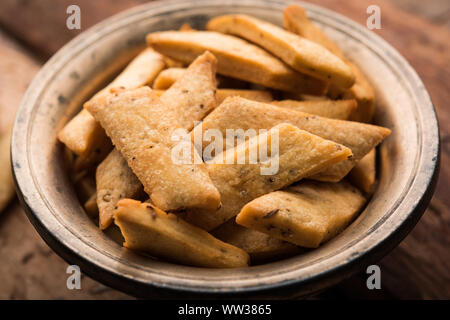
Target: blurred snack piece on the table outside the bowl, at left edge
point(7, 190)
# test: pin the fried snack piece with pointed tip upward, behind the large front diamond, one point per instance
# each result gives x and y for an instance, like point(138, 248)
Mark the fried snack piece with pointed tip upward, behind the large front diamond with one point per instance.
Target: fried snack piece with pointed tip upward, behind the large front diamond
point(192, 96)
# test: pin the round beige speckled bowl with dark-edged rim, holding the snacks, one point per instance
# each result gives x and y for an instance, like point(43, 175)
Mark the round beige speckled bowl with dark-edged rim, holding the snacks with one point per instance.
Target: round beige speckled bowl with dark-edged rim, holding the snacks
point(408, 160)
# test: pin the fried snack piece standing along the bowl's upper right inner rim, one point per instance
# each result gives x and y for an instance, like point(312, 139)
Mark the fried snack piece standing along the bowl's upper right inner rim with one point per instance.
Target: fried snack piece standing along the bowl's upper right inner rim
point(296, 20)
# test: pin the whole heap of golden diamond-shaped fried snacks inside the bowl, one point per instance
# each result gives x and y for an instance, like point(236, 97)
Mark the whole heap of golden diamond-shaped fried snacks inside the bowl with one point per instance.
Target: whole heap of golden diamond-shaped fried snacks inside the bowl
point(235, 197)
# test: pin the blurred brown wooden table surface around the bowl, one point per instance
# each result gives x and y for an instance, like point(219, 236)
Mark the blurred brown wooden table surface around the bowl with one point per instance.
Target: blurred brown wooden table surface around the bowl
point(31, 31)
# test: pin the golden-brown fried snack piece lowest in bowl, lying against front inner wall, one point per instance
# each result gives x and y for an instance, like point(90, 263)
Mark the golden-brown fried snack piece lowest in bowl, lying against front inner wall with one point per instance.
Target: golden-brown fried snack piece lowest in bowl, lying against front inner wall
point(149, 229)
